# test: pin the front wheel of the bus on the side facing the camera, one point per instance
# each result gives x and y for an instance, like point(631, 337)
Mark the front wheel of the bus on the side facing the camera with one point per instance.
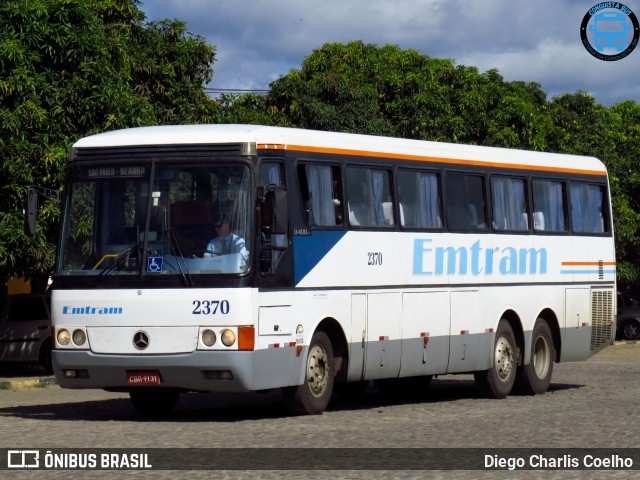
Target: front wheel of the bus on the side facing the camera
point(312, 397)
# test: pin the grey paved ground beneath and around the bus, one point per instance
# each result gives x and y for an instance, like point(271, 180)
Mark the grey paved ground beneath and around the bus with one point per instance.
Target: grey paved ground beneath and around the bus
point(593, 404)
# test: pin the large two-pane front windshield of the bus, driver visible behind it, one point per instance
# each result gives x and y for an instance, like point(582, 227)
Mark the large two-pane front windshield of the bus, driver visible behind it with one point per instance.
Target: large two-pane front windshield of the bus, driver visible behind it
point(156, 220)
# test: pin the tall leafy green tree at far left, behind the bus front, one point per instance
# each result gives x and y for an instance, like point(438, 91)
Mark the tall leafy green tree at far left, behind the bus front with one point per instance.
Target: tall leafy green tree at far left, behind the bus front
point(76, 67)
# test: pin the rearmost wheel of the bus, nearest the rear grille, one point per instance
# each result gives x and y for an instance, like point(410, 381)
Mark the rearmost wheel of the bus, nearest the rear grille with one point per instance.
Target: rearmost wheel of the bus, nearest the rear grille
point(535, 378)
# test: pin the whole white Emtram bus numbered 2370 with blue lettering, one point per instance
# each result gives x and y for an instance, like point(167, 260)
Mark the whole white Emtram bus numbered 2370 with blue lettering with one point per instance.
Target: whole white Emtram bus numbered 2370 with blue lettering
point(351, 258)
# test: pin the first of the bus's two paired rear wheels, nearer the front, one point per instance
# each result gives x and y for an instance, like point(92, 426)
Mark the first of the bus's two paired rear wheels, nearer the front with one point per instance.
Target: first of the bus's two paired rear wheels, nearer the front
point(498, 381)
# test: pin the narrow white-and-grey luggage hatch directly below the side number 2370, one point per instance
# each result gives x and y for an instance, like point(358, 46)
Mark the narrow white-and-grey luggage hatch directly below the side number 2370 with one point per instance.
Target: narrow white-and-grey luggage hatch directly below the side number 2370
point(383, 344)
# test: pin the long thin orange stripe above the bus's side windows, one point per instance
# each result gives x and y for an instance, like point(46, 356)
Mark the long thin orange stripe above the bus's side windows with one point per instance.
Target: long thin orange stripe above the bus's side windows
point(421, 158)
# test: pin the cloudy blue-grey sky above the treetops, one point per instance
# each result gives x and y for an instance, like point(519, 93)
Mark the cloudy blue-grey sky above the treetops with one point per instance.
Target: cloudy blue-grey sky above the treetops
point(257, 41)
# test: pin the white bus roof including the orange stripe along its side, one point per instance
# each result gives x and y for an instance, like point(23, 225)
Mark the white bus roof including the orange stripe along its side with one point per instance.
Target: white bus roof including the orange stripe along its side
point(311, 141)
